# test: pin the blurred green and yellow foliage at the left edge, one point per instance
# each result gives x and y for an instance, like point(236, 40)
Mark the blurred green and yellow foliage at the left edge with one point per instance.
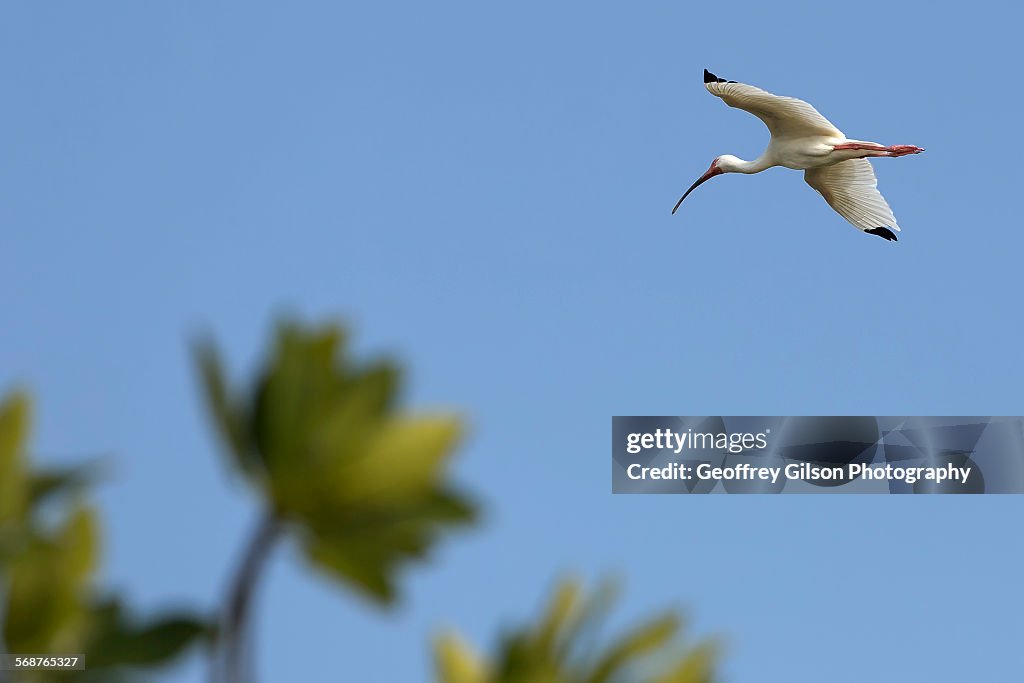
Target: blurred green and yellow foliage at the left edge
point(48, 563)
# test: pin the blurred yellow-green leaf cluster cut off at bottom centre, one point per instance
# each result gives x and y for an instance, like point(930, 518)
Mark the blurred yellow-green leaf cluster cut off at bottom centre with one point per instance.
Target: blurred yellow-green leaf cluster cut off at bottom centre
point(559, 650)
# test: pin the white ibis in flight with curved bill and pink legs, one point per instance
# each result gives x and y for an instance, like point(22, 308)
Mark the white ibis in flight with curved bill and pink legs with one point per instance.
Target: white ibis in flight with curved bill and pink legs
point(803, 140)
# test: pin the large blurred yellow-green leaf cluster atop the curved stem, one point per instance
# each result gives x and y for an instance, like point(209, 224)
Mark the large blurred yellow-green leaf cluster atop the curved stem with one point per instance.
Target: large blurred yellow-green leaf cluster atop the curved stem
point(361, 483)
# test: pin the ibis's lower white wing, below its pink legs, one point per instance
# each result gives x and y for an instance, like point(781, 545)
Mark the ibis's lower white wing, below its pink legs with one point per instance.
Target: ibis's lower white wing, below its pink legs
point(851, 189)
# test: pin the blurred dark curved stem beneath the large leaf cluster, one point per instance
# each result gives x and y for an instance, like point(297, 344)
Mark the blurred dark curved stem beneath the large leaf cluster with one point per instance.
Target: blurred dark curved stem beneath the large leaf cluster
point(237, 609)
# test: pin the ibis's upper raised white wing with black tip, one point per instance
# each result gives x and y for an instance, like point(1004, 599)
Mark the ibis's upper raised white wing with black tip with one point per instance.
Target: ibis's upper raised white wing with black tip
point(786, 117)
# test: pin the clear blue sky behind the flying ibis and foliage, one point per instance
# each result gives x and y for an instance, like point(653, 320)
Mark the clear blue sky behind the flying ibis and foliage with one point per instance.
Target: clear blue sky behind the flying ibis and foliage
point(485, 191)
